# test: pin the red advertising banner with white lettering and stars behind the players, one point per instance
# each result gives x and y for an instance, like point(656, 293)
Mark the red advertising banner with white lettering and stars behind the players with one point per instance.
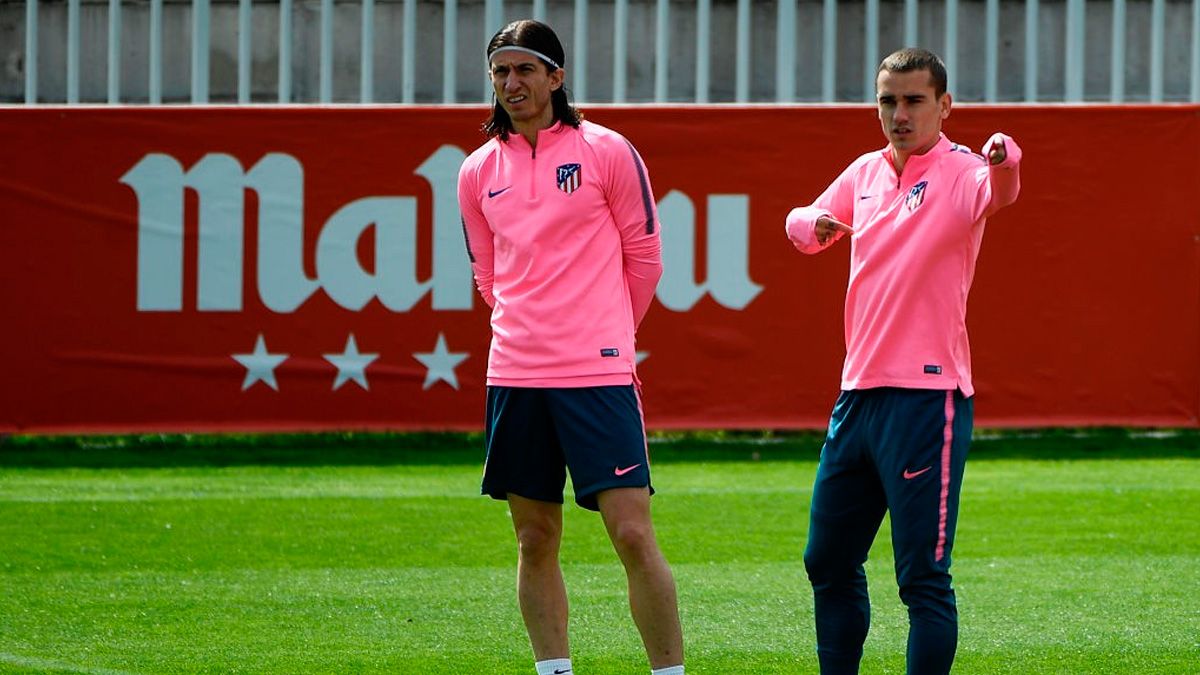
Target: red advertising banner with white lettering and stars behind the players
point(202, 270)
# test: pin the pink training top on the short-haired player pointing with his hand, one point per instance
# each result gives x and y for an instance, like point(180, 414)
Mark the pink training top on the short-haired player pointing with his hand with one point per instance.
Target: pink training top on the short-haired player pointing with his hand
point(913, 259)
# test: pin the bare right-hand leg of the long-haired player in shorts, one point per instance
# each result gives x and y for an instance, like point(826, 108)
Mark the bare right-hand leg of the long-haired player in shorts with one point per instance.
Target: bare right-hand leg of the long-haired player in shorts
point(652, 593)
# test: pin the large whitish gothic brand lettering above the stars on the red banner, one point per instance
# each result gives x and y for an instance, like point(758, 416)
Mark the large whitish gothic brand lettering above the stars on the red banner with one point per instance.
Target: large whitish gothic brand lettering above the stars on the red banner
point(220, 183)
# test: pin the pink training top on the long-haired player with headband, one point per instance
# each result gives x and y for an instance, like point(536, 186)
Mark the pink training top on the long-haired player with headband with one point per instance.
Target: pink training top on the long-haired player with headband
point(565, 246)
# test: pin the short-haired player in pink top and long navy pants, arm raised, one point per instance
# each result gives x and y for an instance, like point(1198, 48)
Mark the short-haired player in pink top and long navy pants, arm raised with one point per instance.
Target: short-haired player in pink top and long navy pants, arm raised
point(898, 438)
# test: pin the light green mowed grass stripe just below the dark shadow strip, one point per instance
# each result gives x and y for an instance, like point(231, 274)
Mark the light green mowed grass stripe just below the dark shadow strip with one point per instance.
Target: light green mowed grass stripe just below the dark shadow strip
point(795, 476)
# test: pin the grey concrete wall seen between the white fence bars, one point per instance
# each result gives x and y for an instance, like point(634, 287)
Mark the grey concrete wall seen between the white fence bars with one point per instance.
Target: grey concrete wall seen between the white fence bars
point(969, 63)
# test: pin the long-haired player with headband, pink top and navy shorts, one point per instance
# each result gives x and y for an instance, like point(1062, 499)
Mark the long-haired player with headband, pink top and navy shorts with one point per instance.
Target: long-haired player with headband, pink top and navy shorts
point(563, 238)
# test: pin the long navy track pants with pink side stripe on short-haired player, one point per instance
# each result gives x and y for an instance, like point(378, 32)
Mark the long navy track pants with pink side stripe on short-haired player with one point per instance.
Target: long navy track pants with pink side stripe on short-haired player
point(899, 451)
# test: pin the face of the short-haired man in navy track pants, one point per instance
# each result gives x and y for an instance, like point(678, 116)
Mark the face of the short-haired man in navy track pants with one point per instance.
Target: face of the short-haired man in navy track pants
point(911, 114)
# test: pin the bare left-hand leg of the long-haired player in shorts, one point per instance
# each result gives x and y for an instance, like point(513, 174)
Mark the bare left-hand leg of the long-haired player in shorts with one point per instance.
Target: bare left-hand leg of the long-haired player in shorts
point(541, 590)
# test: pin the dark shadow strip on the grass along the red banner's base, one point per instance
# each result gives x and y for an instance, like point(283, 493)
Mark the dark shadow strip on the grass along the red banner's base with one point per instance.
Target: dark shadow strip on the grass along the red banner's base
point(454, 449)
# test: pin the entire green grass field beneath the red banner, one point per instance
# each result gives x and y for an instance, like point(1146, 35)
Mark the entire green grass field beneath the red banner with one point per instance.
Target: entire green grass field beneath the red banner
point(1077, 554)
